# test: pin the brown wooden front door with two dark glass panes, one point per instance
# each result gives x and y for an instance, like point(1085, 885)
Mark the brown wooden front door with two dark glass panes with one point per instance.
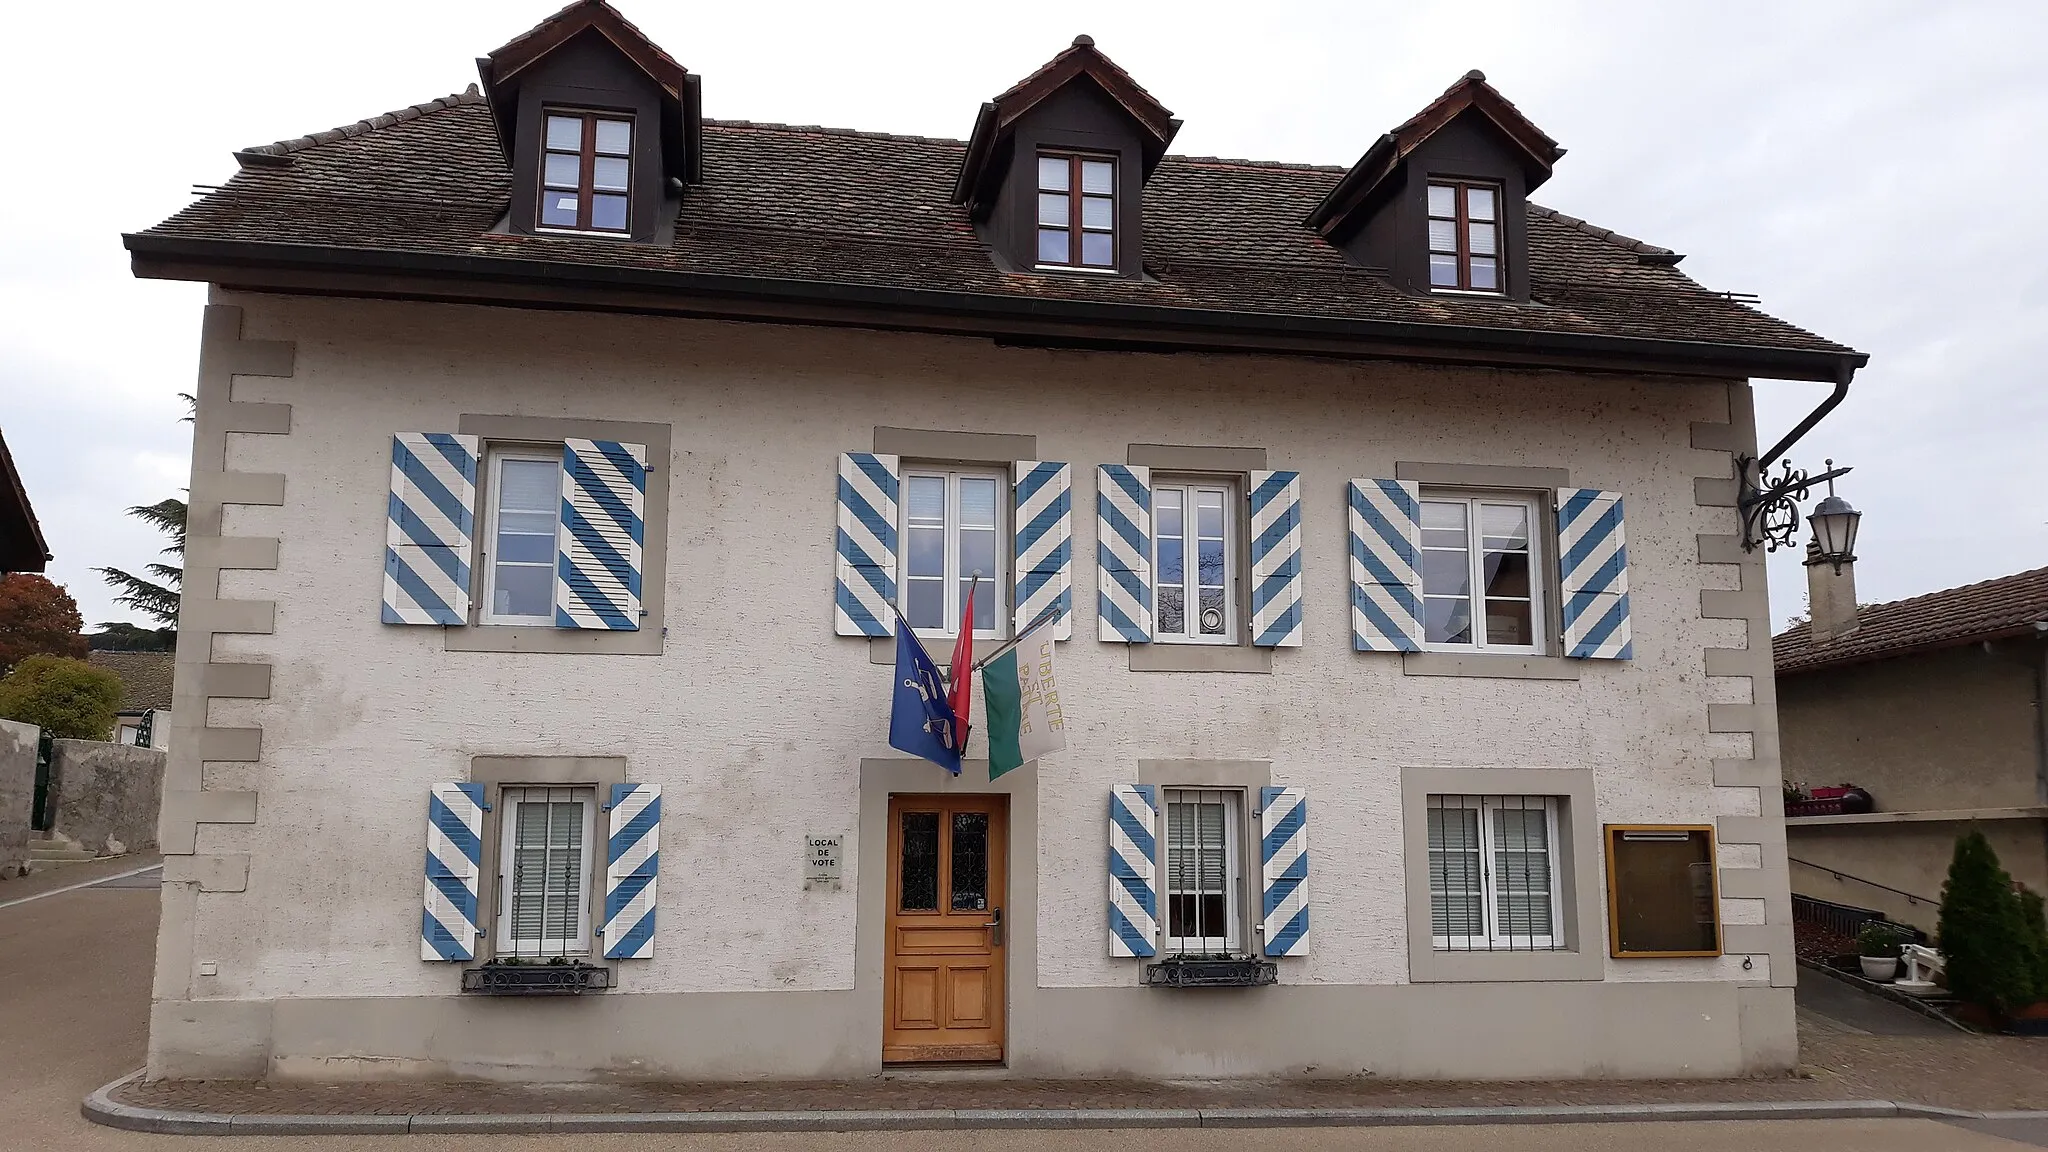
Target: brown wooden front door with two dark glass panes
point(943, 985)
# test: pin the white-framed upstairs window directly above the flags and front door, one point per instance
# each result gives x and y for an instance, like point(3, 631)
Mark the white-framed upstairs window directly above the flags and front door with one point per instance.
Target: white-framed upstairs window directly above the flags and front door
point(953, 528)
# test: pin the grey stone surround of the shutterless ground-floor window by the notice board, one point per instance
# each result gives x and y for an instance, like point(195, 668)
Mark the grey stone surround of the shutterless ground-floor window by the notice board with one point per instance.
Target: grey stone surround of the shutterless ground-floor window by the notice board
point(1578, 827)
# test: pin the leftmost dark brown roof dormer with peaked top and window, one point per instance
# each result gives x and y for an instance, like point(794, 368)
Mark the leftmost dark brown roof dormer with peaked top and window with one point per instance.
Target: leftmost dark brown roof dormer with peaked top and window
point(599, 126)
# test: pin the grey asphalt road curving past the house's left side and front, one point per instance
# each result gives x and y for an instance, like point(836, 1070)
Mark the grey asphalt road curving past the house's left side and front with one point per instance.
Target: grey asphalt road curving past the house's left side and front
point(75, 1001)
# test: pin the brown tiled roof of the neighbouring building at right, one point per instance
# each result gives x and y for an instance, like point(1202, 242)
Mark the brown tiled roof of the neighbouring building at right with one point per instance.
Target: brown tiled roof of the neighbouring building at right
point(1940, 620)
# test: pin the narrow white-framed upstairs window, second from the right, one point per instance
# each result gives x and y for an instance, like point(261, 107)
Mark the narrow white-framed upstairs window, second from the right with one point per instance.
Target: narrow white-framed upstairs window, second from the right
point(1195, 561)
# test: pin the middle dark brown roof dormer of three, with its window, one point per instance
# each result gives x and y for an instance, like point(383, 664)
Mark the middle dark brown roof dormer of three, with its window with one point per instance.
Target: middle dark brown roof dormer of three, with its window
point(1056, 167)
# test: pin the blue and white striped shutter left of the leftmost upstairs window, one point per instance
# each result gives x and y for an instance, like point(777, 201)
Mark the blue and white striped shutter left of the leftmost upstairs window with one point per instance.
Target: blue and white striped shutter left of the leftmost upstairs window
point(431, 516)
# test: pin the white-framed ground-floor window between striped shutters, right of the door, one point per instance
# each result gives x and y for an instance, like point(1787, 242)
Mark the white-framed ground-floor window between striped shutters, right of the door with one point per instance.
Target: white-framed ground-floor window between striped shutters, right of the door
point(1203, 872)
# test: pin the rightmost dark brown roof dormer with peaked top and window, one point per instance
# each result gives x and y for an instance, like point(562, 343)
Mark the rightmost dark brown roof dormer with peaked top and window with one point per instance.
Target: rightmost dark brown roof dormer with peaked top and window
point(1441, 202)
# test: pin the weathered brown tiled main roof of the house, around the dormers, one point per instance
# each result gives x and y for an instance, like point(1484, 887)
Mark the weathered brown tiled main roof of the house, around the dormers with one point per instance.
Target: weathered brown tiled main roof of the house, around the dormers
point(871, 210)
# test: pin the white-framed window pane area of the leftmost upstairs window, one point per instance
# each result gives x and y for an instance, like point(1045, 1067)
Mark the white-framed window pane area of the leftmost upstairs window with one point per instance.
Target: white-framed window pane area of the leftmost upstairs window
point(519, 565)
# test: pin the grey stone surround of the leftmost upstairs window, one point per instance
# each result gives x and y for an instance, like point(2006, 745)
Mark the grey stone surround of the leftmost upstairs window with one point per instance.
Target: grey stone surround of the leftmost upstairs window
point(654, 548)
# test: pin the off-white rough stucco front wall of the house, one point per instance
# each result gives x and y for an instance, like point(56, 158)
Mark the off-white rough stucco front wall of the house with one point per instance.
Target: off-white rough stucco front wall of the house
point(757, 718)
